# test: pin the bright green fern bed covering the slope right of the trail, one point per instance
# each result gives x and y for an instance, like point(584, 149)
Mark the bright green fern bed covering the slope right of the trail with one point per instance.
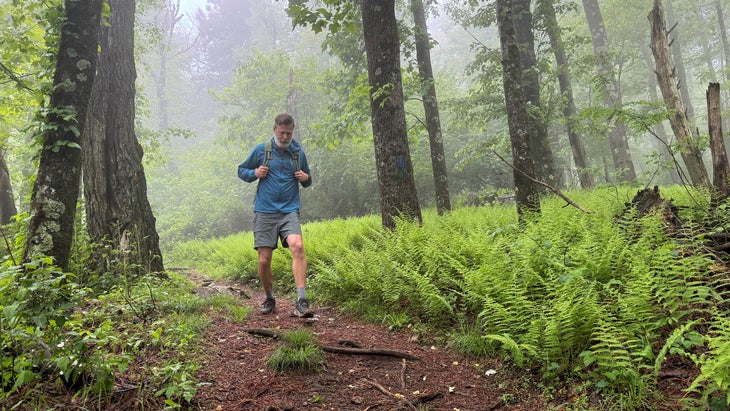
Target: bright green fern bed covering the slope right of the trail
point(578, 296)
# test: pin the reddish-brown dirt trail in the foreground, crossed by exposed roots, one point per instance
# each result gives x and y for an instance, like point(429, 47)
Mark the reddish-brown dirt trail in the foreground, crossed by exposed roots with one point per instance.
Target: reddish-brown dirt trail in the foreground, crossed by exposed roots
point(238, 377)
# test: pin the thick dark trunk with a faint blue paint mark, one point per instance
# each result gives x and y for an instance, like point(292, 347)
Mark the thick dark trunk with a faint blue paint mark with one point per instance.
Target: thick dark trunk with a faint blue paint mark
point(392, 155)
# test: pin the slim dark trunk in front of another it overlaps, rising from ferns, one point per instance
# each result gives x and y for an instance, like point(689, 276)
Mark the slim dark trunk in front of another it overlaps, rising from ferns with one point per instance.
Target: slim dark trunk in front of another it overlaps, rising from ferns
point(526, 194)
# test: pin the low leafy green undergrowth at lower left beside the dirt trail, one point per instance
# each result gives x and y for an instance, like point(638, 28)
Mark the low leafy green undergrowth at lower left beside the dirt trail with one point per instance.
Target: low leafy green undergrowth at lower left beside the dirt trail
point(144, 335)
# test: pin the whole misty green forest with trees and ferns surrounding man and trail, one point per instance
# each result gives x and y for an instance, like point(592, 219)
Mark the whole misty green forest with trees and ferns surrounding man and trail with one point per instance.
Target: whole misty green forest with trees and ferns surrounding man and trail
point(540, 182)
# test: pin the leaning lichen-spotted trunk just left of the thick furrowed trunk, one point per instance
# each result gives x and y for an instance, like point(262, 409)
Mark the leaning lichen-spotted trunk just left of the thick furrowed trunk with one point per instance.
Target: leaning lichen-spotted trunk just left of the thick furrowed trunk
point(56, 189)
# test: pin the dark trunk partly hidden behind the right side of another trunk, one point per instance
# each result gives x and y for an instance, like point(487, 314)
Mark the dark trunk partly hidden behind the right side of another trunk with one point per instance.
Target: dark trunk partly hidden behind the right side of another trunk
point(542, 154)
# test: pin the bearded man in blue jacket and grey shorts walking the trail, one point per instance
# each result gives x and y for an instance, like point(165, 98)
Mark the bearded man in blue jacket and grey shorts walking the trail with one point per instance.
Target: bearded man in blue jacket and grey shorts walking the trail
point(280, 166)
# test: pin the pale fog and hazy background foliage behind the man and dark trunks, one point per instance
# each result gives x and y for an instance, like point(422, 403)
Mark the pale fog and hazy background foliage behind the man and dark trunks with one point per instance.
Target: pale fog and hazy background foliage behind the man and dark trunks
point(218, 72)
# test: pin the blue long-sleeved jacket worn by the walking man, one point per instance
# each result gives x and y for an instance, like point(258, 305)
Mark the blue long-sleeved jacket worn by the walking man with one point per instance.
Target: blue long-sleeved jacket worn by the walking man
point(279, 191)
